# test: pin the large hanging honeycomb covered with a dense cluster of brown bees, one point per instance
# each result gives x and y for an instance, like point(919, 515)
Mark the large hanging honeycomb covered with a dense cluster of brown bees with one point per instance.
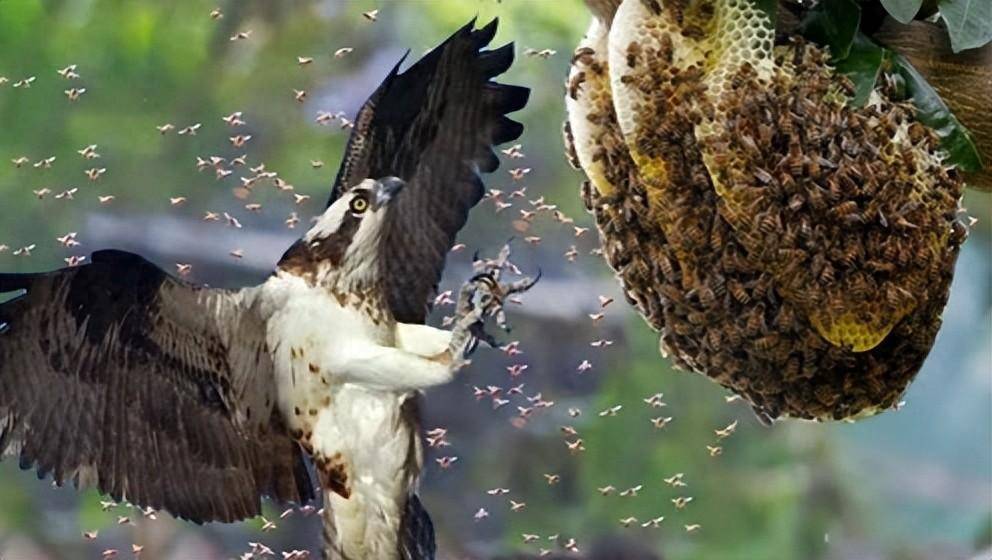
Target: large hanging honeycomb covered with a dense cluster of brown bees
point(790, 246)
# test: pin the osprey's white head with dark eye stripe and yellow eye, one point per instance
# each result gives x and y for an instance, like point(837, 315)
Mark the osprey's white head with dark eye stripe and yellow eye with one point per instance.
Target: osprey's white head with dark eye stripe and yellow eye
point(345, 239)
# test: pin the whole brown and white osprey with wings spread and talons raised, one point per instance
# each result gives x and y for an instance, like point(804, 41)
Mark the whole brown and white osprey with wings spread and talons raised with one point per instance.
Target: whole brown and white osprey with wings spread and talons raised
point(199, 401)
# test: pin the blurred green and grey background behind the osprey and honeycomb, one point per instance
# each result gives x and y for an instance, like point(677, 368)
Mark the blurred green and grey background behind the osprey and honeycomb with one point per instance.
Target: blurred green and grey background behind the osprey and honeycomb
point(912, 484)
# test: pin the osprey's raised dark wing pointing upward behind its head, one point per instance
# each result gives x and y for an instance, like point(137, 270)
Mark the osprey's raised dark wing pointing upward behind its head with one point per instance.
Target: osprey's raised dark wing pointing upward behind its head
point(434, 126)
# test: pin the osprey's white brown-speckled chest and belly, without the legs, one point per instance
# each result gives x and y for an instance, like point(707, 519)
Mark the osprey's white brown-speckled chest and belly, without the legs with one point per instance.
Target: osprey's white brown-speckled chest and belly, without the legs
point(364, 446)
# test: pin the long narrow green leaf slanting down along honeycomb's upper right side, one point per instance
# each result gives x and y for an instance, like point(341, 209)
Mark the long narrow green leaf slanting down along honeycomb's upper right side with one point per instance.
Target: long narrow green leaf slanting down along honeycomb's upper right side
point(954, 137)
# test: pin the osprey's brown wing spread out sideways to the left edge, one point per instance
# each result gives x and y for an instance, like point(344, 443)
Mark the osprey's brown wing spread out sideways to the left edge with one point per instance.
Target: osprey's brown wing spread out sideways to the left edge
point(155, 391)
